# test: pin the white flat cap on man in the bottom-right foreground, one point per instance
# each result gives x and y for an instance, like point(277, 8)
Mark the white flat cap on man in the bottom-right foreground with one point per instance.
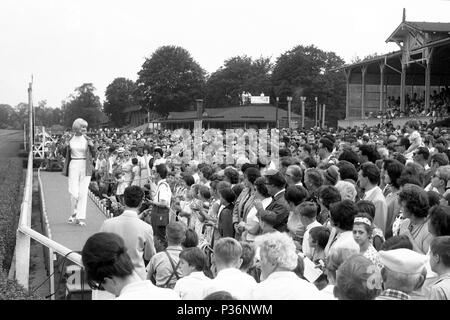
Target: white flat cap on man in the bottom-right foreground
point(403, 260)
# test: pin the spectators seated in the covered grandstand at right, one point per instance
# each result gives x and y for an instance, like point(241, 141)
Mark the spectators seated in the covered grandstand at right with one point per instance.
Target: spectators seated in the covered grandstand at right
point(415, 106)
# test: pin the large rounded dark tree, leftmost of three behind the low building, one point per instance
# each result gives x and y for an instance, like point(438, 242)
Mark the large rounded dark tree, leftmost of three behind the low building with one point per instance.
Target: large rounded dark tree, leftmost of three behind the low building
point(170, 80)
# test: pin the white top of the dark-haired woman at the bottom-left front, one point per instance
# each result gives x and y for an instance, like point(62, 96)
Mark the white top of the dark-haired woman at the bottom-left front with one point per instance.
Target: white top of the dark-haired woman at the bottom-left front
point(146, 290)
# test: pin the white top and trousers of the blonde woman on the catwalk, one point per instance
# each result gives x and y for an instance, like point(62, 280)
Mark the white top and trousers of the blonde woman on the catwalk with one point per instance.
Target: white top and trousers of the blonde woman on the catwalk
point(78, 181)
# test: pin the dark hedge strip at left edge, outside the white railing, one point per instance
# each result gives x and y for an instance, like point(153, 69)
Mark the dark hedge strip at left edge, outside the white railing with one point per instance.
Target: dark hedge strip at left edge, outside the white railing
point(11, 176)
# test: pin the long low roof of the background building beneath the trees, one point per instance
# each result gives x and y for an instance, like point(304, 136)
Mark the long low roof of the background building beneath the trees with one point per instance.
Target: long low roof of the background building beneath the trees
point(254, 113)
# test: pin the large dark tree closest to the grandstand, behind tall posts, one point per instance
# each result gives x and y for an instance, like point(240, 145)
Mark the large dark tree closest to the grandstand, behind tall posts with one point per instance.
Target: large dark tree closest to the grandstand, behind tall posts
point(306, 71)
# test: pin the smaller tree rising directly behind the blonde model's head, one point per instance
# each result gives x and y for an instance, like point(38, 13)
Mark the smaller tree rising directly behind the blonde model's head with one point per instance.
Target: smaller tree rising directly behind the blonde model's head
point(83, 103)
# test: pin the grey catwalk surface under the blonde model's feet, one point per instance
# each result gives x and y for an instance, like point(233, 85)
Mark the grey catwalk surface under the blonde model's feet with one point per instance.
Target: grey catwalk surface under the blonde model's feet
point(57, 201)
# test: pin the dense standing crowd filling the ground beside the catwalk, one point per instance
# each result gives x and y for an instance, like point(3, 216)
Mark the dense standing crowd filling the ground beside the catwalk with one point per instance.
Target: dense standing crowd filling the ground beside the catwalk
point(356, 213)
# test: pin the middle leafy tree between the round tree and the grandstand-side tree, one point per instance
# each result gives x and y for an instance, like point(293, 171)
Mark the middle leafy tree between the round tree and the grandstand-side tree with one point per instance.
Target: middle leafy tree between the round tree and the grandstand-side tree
point(238, 74)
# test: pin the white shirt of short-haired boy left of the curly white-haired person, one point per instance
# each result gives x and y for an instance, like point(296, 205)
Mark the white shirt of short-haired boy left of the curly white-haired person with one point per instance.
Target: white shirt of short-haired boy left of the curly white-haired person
point(234, 281)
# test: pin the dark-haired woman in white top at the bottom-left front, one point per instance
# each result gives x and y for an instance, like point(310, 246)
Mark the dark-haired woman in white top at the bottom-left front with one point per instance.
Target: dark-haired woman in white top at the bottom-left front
point(108, 266)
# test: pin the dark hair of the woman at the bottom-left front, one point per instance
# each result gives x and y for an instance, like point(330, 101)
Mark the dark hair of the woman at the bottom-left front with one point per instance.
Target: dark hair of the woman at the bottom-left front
point(104, 255)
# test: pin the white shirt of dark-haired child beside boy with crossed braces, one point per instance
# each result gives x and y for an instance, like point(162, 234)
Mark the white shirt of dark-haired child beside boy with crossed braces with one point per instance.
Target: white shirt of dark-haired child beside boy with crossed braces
point(192, 286)
